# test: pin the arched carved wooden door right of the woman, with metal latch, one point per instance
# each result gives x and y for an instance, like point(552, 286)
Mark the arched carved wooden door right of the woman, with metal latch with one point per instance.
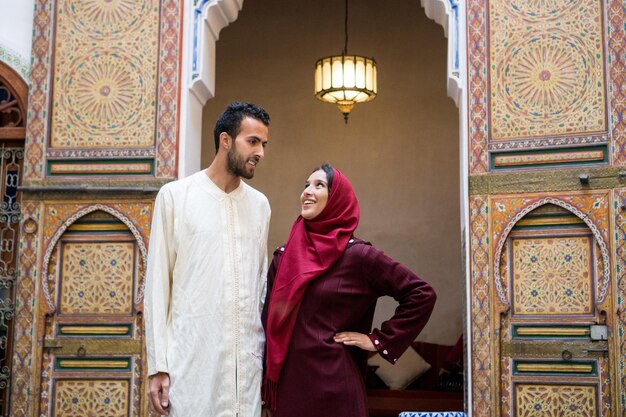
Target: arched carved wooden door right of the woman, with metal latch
point(555, 356)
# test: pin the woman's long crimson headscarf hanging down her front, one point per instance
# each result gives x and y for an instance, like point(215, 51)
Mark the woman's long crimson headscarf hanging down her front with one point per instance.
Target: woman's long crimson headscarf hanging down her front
point(313, 247)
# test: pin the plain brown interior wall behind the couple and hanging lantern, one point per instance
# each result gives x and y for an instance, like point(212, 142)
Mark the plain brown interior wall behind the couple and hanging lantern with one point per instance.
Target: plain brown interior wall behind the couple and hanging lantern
point(400, 151)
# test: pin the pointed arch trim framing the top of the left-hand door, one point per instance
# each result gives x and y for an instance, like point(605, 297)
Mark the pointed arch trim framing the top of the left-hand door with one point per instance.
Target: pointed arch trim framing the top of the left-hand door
point(55, 238)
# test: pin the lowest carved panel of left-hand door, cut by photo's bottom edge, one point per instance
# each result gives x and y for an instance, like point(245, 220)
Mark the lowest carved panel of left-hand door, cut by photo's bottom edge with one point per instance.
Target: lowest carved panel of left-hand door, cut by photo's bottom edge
point(79, 398)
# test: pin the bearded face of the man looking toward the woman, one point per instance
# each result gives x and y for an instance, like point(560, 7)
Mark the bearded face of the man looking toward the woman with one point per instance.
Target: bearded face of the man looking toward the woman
point(248, 148)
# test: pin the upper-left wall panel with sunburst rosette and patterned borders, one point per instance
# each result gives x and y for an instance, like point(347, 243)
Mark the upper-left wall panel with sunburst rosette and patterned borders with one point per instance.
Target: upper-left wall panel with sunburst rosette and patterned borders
point(104, 89)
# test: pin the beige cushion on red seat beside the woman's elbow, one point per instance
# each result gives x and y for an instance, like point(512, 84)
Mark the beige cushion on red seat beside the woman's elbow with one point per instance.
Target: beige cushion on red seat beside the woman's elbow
point(407, 369)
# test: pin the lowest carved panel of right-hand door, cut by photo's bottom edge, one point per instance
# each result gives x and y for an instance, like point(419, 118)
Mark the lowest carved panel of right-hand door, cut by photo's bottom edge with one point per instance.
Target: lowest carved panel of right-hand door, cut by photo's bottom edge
point(555, 400)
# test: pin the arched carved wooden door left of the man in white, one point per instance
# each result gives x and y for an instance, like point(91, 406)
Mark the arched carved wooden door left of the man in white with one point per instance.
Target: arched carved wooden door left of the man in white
point(91, 362)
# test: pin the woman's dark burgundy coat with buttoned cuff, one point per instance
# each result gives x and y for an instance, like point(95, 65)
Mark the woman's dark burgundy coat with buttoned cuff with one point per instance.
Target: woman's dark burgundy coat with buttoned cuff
point(322, 378)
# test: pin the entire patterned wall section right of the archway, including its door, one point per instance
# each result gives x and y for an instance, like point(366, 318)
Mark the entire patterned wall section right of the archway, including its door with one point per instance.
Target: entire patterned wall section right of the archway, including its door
point(546, 80)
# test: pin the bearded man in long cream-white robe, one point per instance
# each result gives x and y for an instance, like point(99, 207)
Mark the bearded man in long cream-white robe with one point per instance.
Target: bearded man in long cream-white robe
point(206, 279)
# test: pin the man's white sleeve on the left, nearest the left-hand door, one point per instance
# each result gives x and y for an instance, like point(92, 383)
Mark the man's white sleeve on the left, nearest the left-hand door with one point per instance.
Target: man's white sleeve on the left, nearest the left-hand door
point(157, 296)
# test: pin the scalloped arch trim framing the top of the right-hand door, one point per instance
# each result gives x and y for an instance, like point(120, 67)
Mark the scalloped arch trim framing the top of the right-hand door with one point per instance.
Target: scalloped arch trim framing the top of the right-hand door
point(603, 283)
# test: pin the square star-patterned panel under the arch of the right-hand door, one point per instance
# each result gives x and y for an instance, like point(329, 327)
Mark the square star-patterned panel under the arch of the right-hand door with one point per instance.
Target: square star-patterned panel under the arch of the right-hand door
point(552, 275)
